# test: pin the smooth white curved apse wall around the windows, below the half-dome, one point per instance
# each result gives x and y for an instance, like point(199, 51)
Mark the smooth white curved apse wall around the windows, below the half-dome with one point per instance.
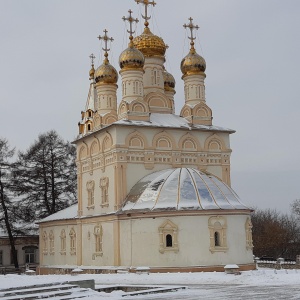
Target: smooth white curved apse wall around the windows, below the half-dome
point(193, 241)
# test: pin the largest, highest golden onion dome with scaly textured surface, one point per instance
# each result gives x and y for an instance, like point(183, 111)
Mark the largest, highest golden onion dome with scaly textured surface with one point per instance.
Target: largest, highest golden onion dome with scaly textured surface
point(150, 44)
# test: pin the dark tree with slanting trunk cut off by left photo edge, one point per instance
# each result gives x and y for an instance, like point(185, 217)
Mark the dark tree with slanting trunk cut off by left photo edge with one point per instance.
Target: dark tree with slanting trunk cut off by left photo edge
point(5, 192)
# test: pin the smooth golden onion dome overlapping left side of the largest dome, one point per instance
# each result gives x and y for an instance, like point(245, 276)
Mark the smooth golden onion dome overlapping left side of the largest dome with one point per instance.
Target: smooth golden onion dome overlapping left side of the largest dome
point(131, 58)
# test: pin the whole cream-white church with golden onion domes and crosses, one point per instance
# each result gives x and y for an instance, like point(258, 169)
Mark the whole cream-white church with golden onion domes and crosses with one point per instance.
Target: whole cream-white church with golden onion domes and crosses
point(153, 187)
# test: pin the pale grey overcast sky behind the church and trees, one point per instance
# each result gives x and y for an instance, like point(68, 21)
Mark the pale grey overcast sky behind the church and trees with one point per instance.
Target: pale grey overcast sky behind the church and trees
point(252, 51)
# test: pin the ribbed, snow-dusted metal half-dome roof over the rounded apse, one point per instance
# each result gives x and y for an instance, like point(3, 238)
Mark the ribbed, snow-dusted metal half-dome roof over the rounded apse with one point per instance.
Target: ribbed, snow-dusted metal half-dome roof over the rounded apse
point(181, 189)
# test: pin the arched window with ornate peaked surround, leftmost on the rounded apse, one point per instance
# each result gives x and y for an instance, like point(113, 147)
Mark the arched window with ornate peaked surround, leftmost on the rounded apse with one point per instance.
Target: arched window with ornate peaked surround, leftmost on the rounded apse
point(168, 237)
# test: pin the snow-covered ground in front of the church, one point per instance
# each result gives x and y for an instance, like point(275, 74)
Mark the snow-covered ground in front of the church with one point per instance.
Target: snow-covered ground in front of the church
point(260, 284)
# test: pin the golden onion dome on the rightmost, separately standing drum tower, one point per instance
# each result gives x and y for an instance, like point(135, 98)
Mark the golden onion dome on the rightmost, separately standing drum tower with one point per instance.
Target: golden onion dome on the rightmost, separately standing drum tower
point(193, 63)
